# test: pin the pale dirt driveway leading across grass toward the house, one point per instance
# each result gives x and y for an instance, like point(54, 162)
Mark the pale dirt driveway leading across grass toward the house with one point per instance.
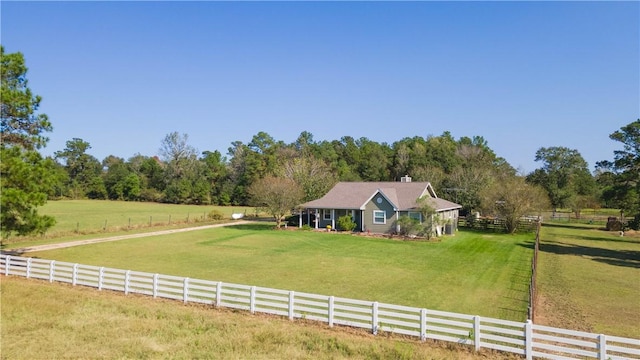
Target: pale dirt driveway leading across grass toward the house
point(116, 238)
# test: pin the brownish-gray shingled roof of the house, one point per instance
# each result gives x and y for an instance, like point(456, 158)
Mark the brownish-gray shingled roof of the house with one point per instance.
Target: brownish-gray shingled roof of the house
point(402, 195)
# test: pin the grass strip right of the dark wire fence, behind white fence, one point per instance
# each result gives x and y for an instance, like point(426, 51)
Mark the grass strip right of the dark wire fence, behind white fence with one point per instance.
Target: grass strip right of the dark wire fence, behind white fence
point(589, 279)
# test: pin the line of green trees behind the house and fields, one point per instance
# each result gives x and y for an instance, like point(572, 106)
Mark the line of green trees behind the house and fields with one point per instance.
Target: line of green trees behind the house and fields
point(464, 170)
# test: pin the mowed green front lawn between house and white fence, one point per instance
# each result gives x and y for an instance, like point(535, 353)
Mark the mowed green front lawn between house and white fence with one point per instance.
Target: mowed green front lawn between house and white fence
point(473, 273)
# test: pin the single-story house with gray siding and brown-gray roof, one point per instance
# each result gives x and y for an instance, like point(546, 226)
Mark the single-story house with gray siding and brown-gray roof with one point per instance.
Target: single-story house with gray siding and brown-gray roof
point(376, 206)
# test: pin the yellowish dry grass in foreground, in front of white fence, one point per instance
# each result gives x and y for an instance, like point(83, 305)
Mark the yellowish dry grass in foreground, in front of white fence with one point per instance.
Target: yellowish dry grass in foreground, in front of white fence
point(55, 321)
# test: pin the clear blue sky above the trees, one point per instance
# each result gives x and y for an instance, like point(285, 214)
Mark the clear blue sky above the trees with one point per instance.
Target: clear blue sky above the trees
point(523, 75)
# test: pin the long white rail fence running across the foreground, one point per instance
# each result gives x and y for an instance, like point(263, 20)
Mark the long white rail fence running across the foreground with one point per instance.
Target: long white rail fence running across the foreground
point(525, 339)
